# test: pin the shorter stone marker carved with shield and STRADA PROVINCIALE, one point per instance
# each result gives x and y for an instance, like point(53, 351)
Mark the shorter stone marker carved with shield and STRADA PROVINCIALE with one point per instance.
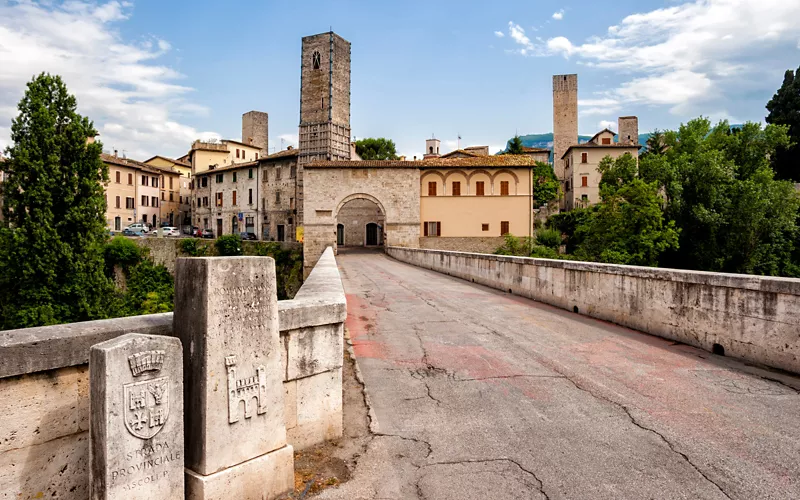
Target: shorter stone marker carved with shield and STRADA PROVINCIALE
point(136, 426)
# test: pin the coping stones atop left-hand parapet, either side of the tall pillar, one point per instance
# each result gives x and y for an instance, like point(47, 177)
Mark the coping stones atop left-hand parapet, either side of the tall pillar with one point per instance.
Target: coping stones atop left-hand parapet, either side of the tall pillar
point(320, 301)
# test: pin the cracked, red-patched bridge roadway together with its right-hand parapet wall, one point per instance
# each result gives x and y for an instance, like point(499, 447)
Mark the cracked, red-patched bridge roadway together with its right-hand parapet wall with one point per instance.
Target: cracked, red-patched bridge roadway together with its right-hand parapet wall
point(476, 392)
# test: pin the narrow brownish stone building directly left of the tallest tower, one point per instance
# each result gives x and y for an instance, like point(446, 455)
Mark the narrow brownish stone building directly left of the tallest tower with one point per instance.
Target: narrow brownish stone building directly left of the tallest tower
point(279, 196)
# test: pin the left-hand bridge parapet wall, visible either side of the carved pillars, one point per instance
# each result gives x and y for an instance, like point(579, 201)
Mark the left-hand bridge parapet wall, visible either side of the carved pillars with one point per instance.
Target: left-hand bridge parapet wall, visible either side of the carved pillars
point(44, 443)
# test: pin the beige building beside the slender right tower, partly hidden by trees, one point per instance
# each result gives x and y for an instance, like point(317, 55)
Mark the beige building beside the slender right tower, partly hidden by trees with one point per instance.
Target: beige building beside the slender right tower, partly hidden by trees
point(582, 179)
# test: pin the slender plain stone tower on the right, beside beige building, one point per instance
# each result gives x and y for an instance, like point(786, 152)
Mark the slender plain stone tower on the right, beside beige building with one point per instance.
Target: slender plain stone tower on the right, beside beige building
point(565, 119)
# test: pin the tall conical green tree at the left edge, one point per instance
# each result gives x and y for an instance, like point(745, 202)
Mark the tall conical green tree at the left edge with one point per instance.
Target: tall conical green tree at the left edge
point(53, 233)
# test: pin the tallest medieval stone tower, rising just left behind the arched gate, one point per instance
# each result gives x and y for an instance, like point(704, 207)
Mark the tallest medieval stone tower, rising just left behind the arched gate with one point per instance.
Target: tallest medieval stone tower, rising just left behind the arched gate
point(324, 104)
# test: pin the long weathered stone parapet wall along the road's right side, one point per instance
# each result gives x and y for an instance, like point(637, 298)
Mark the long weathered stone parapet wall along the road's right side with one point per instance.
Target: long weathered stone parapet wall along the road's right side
point(754, 318)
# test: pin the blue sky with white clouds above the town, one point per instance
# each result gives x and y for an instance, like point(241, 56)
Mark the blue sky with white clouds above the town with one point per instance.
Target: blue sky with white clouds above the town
point(156, 75)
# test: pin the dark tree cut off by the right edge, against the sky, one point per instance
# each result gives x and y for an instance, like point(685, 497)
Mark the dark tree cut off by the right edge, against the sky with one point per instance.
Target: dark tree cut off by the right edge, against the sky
point(784, 109)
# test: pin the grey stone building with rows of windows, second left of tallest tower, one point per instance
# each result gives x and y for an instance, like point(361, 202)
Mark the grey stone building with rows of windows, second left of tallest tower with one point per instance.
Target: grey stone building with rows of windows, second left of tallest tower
point(225, 199)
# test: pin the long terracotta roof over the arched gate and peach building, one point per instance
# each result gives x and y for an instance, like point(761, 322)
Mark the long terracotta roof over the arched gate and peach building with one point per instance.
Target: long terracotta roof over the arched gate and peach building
point(471, 162)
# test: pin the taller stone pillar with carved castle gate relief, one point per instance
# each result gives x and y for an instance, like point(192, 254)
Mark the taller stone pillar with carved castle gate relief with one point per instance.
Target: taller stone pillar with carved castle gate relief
point(226, 315)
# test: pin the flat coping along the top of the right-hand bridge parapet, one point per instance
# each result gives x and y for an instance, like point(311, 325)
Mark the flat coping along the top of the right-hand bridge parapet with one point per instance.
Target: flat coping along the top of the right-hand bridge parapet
point(789, 286)
